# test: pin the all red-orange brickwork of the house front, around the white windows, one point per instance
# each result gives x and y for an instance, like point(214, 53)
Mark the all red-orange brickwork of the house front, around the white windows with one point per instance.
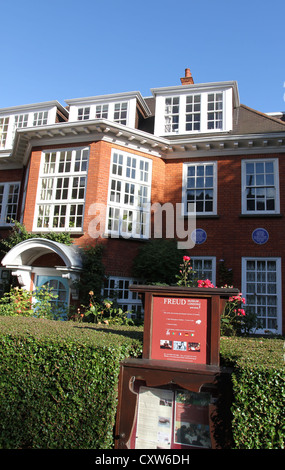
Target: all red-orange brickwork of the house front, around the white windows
point(229, 235)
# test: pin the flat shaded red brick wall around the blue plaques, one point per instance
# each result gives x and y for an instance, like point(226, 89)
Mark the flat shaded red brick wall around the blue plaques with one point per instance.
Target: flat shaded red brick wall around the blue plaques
point(229, 235)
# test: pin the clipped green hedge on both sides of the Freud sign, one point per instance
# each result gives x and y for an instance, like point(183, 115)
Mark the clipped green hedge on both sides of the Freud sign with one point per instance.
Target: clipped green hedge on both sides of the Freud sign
point(58, 384)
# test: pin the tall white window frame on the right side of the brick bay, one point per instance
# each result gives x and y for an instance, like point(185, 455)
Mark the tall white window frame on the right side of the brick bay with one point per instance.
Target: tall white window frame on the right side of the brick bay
point(124, 196)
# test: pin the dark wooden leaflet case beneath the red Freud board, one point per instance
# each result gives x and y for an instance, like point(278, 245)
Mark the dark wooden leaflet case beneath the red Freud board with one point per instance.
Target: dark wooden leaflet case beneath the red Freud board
point(170, 406)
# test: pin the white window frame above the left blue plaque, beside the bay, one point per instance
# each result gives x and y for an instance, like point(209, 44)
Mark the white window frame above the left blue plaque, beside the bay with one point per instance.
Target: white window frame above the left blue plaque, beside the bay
point(186, 165)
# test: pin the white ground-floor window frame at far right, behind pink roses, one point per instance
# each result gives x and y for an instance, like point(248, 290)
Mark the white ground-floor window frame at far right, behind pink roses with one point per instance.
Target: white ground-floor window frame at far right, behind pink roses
point(278, 294)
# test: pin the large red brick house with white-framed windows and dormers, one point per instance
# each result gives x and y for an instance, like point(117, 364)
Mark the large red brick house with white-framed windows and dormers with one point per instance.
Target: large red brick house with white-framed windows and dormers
point(99, 166)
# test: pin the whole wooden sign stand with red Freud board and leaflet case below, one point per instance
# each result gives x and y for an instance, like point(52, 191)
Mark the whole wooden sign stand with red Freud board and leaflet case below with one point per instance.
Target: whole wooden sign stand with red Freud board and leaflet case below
point(177, 396)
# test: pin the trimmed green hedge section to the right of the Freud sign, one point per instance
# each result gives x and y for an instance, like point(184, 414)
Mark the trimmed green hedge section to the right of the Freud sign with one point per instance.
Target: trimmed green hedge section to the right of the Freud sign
point(258, 380)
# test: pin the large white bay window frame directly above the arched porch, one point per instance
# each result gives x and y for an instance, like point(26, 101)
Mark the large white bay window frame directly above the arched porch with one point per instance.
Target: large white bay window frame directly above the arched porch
point(55, 181)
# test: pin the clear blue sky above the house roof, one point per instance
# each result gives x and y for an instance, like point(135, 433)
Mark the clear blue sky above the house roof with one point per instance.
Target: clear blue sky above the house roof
point(68, 49)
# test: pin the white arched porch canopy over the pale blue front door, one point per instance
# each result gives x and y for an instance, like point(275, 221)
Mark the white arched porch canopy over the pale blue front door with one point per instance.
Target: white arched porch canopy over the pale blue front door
point(21, 259)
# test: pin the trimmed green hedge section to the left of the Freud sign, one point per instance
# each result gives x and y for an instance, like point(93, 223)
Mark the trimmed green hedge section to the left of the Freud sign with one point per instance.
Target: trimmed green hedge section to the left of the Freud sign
point(59, 381)
